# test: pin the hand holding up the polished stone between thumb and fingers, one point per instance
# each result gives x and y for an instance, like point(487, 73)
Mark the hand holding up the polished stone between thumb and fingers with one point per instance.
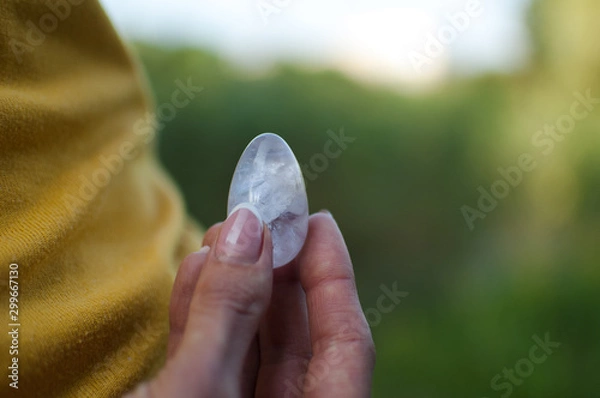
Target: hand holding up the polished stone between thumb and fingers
point(241, 329)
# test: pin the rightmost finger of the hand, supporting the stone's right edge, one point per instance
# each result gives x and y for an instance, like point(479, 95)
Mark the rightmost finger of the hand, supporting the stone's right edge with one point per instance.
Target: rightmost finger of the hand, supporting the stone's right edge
point(343, 349)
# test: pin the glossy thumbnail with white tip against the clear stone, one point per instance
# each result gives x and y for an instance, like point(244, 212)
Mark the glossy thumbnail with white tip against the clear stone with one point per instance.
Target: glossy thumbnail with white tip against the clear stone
point(241, 237)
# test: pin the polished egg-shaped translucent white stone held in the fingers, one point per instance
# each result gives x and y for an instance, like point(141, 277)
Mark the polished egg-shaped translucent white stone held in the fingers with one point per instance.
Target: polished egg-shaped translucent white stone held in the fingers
point(268, 176)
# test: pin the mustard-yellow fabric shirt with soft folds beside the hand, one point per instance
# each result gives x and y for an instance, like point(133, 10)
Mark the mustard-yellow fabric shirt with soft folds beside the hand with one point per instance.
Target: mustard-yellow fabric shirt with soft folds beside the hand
point(88, 219)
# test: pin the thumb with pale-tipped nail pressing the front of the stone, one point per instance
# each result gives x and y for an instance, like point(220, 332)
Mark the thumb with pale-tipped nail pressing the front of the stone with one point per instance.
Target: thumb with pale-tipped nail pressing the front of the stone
point(230, 298)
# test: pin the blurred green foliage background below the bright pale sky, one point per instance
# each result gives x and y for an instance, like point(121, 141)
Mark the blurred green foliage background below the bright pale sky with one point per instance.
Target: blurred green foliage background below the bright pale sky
point(476, 298)
